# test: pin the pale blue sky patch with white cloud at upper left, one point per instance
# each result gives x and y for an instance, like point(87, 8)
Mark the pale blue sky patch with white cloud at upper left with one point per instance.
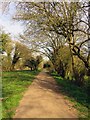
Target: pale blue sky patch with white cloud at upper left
point(8, 24)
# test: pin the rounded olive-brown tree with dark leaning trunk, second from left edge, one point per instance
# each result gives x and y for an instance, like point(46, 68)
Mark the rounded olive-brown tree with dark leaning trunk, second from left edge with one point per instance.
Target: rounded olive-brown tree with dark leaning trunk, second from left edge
point(21, 52)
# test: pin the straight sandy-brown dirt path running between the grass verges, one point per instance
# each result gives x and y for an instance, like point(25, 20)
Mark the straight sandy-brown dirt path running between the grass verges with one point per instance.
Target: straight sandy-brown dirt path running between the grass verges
point(44, 100)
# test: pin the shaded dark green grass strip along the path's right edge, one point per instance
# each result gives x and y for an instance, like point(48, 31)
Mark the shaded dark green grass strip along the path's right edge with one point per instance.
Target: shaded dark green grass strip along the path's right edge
point(77, 95)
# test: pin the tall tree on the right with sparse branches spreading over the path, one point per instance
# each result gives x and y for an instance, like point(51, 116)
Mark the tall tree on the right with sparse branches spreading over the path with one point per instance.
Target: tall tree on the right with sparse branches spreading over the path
point(63, 18)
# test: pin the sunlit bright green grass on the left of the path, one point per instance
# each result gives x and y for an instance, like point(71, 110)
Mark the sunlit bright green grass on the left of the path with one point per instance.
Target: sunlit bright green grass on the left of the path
point(14, 85)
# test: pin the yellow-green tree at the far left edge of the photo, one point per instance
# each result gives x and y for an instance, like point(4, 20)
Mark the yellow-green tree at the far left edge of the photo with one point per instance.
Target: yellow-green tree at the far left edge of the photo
point(7, 46)
